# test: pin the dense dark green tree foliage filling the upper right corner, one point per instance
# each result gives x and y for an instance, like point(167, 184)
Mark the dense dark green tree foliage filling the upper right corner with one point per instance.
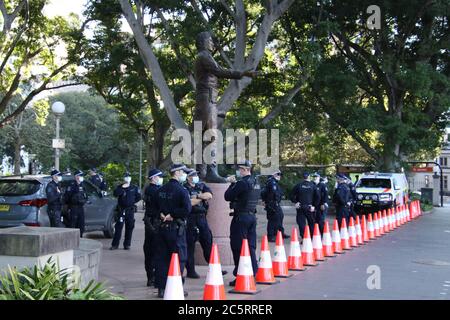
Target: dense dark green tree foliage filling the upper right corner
point(389, 88)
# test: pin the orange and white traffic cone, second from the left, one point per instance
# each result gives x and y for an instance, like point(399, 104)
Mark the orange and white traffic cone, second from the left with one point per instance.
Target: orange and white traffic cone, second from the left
point(214, 288)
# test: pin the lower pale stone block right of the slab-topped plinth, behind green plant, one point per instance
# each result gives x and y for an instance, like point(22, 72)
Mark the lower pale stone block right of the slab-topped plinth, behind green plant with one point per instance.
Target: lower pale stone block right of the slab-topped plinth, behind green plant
point(87, 257)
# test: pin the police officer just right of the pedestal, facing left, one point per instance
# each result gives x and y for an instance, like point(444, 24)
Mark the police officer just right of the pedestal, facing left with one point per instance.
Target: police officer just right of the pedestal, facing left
point(243, 195)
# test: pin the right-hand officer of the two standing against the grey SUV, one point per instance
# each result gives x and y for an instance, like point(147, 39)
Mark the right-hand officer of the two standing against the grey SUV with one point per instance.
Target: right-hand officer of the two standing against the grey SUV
point(76, 198)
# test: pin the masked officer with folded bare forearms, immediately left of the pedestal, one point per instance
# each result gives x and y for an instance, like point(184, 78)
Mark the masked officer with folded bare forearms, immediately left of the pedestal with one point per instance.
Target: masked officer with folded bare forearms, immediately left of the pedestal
point(197, 225)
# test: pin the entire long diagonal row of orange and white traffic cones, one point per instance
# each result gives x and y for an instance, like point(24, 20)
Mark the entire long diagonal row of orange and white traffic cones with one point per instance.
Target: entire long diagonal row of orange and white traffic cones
point(319, 248)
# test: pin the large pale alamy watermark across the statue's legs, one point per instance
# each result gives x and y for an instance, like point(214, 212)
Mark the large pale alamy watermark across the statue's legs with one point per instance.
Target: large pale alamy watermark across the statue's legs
point(211, 147)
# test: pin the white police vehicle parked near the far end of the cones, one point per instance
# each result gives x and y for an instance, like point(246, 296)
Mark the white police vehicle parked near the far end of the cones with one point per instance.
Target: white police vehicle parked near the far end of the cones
point(377, 191)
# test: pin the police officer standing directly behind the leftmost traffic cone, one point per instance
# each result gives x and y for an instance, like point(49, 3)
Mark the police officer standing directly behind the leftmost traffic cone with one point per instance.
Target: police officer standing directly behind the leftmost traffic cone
point(174, 208)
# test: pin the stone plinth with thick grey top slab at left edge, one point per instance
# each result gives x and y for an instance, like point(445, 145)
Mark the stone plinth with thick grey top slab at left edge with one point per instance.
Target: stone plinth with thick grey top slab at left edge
point(29, 246)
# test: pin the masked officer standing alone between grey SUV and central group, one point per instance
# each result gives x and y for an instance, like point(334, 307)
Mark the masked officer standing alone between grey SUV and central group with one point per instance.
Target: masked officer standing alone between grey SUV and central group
point(127, 196)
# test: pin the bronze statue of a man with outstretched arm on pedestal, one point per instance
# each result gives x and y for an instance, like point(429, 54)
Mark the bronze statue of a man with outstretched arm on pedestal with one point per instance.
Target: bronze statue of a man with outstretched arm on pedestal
point(207, 72)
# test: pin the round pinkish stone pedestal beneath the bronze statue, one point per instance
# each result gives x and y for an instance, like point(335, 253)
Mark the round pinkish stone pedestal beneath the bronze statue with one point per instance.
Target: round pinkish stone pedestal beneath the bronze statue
point(219, 221)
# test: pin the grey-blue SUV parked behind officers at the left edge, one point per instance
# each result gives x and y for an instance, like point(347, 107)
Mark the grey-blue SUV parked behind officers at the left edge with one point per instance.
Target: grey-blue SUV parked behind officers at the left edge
point(23, 201)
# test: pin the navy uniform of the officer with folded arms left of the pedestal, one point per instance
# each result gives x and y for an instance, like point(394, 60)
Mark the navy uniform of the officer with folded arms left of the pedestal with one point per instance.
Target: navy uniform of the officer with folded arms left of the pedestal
point(197, 226)
